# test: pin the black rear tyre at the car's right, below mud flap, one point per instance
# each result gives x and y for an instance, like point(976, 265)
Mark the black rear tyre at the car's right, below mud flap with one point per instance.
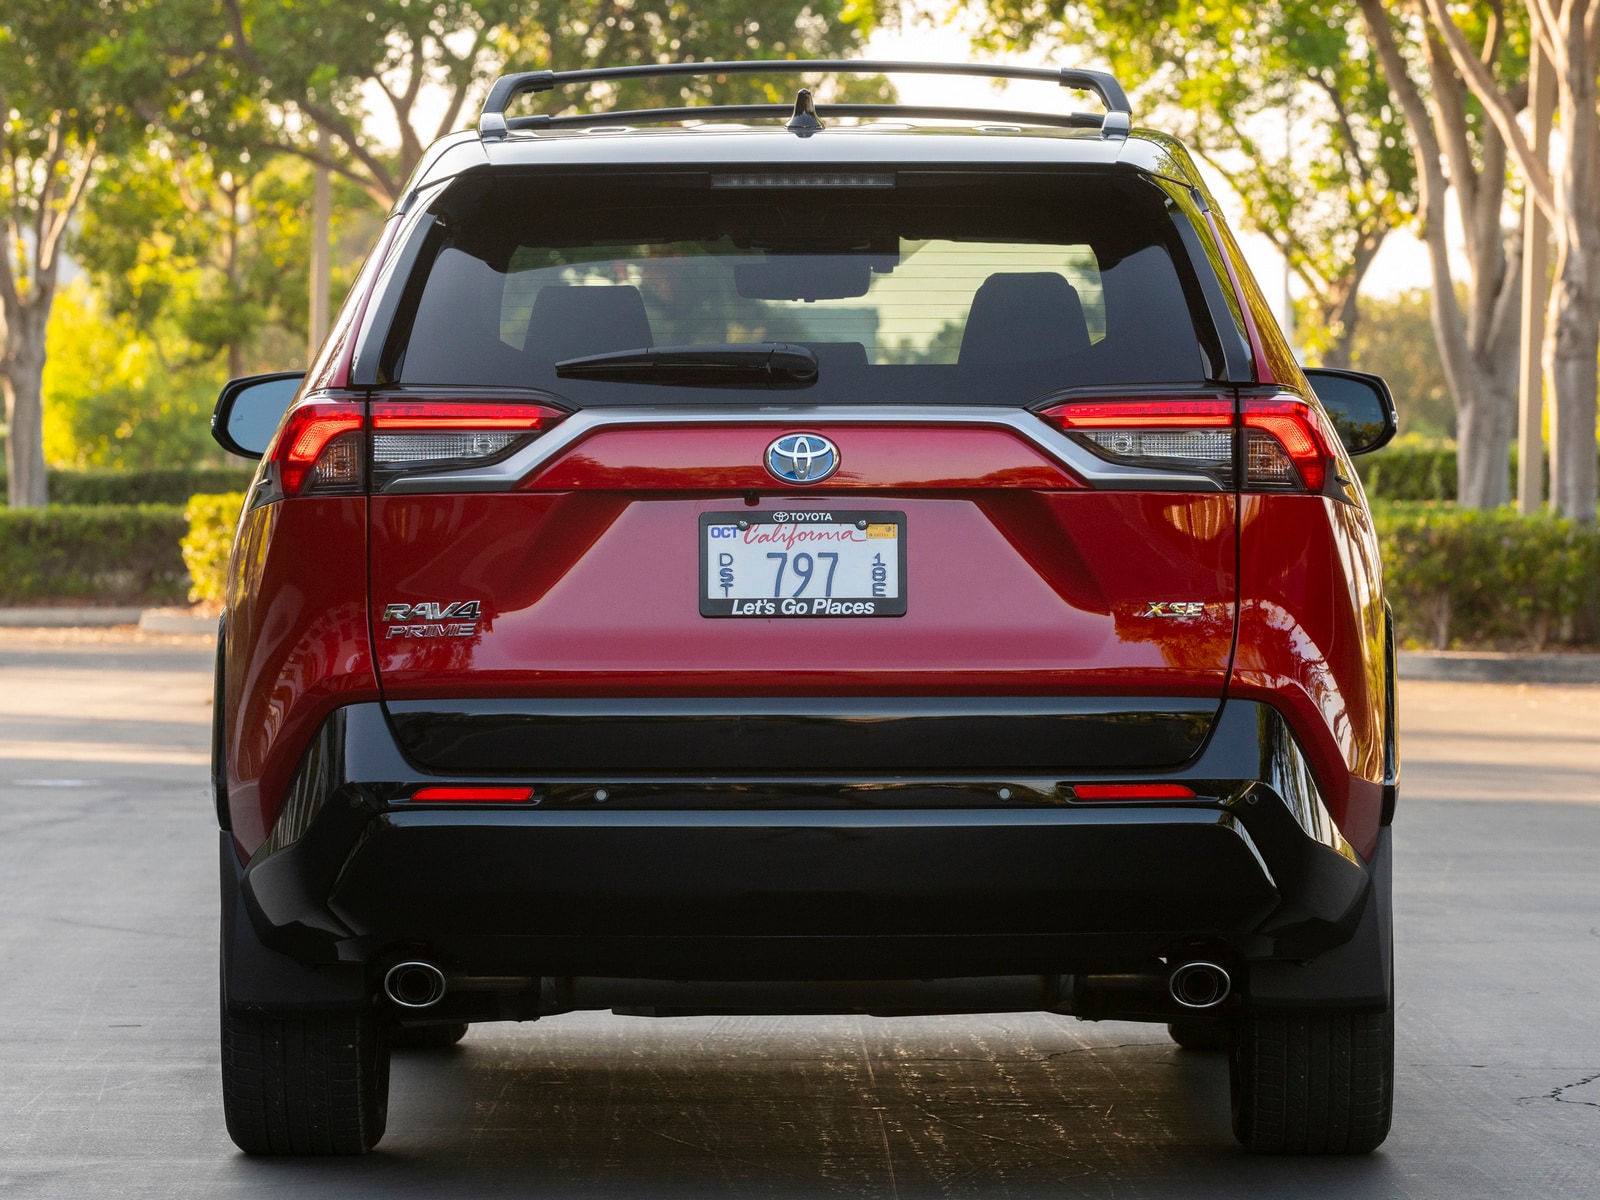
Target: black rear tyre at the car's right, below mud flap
point(1313, 1082)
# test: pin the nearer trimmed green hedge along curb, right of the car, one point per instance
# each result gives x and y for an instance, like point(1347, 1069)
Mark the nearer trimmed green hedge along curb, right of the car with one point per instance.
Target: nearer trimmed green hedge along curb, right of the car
point(1463, 577)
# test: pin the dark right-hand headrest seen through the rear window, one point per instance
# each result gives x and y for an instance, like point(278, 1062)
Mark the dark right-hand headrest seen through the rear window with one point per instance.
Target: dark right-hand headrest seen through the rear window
point(1025, 318)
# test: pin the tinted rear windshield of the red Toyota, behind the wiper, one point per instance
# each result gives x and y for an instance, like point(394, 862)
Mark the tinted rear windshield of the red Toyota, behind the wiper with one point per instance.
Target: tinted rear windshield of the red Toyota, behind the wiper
point(908, 289)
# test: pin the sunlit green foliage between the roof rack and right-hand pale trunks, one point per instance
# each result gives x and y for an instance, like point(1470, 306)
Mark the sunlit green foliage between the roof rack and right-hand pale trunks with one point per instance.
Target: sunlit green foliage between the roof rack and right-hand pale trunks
point(1282, 100)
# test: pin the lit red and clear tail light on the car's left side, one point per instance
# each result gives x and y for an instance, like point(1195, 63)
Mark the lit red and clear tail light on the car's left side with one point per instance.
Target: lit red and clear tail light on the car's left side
point(340, 449)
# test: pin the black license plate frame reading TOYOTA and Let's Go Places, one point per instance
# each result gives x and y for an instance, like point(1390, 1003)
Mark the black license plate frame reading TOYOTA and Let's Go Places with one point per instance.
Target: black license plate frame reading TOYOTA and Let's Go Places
point(806, 607)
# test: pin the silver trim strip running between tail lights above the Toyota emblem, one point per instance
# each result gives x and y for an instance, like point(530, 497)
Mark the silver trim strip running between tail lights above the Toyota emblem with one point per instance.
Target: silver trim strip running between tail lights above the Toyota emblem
point(798, 418)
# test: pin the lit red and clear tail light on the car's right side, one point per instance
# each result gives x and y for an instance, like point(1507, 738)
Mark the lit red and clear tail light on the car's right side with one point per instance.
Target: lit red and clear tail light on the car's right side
point(1287, 442)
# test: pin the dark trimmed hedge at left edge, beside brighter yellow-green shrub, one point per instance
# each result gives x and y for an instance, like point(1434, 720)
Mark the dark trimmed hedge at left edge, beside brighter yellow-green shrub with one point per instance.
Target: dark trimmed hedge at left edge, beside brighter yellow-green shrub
point(100, 554)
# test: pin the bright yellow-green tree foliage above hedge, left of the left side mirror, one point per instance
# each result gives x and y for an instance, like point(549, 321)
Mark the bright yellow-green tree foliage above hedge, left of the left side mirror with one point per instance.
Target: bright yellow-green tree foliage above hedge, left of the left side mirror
point(199, 271)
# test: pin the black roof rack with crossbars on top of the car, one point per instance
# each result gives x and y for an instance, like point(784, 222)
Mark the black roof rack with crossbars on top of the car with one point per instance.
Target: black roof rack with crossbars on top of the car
point(1116, 122)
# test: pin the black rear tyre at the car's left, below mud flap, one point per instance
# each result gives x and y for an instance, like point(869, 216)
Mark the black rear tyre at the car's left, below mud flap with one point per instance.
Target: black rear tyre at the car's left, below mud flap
point(314, 1084)
